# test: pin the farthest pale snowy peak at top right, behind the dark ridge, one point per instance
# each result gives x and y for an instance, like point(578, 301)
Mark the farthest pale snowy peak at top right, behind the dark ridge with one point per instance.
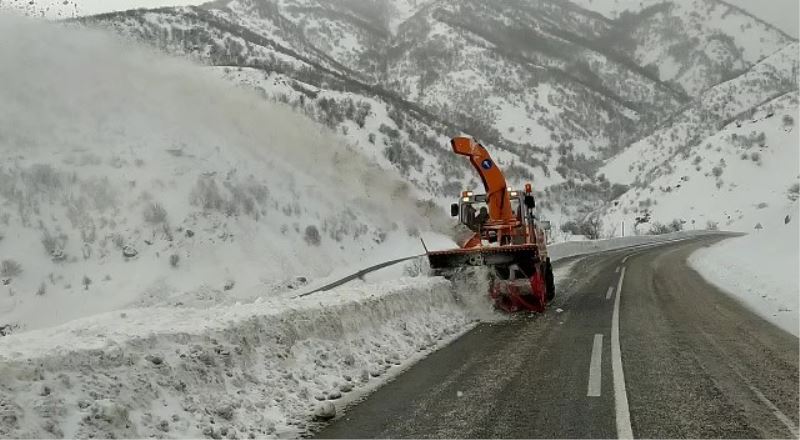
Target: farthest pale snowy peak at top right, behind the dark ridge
point(692, 43)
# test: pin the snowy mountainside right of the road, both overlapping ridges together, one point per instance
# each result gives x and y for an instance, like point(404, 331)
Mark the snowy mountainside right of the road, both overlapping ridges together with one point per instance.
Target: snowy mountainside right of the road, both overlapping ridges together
point(729, 159)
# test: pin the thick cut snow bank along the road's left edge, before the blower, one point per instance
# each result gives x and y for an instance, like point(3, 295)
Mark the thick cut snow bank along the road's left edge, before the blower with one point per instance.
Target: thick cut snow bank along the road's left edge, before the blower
point(258, 369)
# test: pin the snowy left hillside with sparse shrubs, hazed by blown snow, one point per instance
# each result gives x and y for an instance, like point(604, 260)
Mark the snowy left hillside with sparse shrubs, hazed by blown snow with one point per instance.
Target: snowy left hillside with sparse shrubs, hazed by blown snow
point(131, 178)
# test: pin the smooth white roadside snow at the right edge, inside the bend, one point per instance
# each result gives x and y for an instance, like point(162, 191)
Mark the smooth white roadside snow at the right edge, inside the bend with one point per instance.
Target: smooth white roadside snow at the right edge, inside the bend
point(760, 270)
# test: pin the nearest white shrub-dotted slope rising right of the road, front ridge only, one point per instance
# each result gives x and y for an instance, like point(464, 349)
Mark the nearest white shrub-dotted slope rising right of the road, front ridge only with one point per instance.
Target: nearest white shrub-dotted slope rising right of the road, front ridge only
point(743, 178)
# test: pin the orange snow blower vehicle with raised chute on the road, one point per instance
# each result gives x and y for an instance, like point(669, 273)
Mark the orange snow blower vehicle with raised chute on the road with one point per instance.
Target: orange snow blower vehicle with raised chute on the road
point(506, 237)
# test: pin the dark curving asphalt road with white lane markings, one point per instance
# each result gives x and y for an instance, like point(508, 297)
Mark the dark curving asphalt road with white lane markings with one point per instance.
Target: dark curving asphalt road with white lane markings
point(683, 360)
